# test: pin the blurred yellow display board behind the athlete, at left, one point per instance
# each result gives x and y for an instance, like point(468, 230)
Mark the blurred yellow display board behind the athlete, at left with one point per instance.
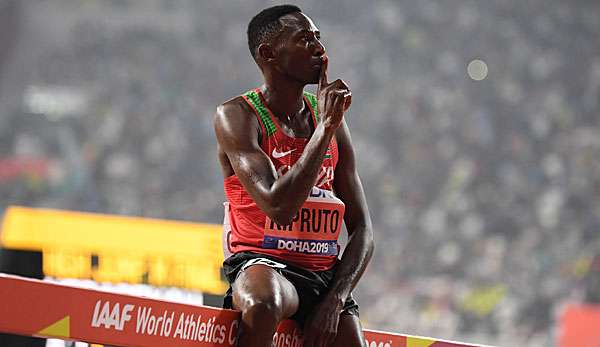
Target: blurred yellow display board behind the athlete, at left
point(109, 248)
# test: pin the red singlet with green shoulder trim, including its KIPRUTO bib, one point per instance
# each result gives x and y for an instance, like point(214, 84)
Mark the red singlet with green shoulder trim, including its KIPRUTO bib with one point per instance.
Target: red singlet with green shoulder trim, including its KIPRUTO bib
point(311, 241)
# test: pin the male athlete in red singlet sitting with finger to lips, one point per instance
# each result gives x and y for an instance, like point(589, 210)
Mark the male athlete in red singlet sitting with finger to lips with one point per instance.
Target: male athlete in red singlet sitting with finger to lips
point(290, 181)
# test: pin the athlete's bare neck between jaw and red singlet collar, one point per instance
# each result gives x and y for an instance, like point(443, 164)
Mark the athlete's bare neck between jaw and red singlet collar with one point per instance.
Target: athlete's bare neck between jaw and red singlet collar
point(283, 96)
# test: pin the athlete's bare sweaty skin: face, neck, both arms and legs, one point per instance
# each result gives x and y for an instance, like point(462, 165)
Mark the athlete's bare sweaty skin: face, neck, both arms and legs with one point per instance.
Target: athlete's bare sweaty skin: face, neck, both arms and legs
point(264, 296)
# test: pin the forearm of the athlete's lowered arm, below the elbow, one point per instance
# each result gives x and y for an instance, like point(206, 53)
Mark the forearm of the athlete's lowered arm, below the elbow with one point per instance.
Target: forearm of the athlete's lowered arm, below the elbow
point(353, 263)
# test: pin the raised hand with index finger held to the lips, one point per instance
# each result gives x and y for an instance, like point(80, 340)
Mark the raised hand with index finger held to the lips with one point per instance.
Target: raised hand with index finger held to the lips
point(333, 99)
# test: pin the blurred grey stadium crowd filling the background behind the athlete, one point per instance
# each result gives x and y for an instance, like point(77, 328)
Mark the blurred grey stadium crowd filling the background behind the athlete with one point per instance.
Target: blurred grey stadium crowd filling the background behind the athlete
point(485, 195)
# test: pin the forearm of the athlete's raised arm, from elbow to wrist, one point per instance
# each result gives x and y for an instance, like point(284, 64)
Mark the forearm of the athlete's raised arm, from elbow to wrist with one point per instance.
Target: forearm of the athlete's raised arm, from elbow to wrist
point(290, 191)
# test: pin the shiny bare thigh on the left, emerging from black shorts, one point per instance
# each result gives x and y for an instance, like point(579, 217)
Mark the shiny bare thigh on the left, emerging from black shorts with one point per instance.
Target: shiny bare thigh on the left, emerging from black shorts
point(261, 283)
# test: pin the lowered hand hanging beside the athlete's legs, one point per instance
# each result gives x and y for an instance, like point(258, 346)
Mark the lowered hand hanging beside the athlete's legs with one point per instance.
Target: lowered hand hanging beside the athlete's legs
point(320, 329)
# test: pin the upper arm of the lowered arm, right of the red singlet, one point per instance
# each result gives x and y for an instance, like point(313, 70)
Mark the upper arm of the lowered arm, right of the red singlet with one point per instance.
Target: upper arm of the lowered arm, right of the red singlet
point(347, 183)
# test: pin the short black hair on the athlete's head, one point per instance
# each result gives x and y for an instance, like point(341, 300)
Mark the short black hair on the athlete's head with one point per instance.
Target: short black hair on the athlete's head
point(265, 24)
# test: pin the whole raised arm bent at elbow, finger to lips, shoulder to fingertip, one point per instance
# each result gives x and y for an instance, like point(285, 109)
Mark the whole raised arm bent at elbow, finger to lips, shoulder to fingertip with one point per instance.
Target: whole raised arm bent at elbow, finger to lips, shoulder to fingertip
point(279, 197)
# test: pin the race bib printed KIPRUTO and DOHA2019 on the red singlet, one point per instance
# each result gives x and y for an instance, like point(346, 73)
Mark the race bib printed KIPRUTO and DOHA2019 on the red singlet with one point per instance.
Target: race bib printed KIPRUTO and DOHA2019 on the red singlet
point(314, 230)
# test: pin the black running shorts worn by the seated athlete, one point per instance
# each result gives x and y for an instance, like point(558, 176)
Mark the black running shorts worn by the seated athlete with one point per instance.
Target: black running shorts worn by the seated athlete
point(310, 285)
